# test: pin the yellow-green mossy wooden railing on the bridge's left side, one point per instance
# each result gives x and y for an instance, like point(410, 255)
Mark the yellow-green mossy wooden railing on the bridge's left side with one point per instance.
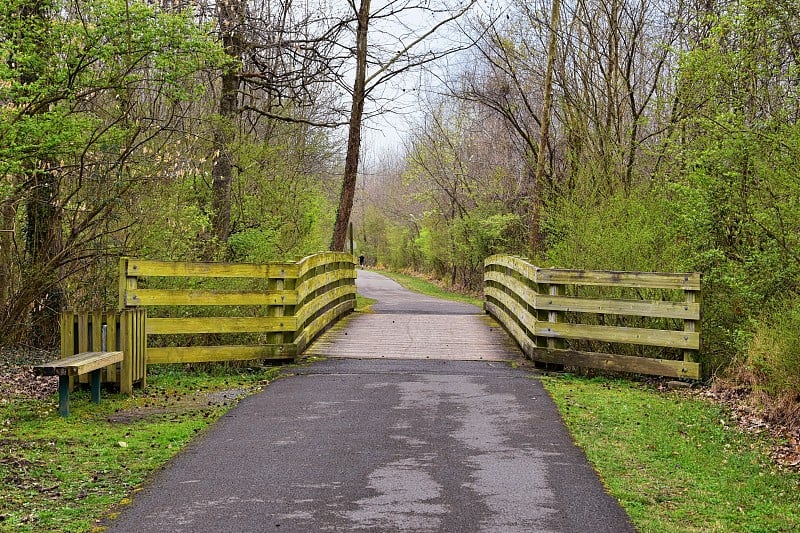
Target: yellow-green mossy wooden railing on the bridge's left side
point(297, 302)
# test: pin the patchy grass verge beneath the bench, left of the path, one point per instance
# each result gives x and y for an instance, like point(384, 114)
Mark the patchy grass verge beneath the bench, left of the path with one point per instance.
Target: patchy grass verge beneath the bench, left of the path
point(64, 474)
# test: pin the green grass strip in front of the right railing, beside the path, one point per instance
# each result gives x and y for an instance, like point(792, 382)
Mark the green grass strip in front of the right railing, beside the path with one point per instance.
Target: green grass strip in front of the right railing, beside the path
point(675, 462)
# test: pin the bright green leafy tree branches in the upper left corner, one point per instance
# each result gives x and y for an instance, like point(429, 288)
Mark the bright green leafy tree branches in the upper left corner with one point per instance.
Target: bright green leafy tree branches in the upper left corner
point(63, 78)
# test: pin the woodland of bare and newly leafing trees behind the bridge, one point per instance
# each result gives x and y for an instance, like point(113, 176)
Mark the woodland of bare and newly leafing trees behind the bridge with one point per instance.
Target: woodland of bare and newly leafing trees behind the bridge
point(654, 135)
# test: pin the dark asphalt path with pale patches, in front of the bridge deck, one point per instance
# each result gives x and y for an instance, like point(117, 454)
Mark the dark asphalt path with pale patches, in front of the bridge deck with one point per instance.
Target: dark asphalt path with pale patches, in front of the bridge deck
point(383, 445)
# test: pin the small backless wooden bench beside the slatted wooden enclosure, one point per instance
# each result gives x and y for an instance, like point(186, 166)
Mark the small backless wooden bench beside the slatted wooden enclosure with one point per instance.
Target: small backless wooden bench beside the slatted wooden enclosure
point(77, 365)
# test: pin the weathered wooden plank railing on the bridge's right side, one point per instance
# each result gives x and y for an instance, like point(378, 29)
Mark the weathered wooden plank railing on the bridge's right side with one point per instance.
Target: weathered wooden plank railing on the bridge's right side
point(533, 305)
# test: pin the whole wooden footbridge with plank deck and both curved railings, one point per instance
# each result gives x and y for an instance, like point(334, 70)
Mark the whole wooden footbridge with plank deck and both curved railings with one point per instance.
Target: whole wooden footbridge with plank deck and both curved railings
point(205, 312)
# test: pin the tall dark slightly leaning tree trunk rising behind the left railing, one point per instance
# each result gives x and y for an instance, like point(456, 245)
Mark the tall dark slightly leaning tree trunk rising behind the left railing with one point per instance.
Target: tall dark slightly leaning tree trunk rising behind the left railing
point(354, 133)
